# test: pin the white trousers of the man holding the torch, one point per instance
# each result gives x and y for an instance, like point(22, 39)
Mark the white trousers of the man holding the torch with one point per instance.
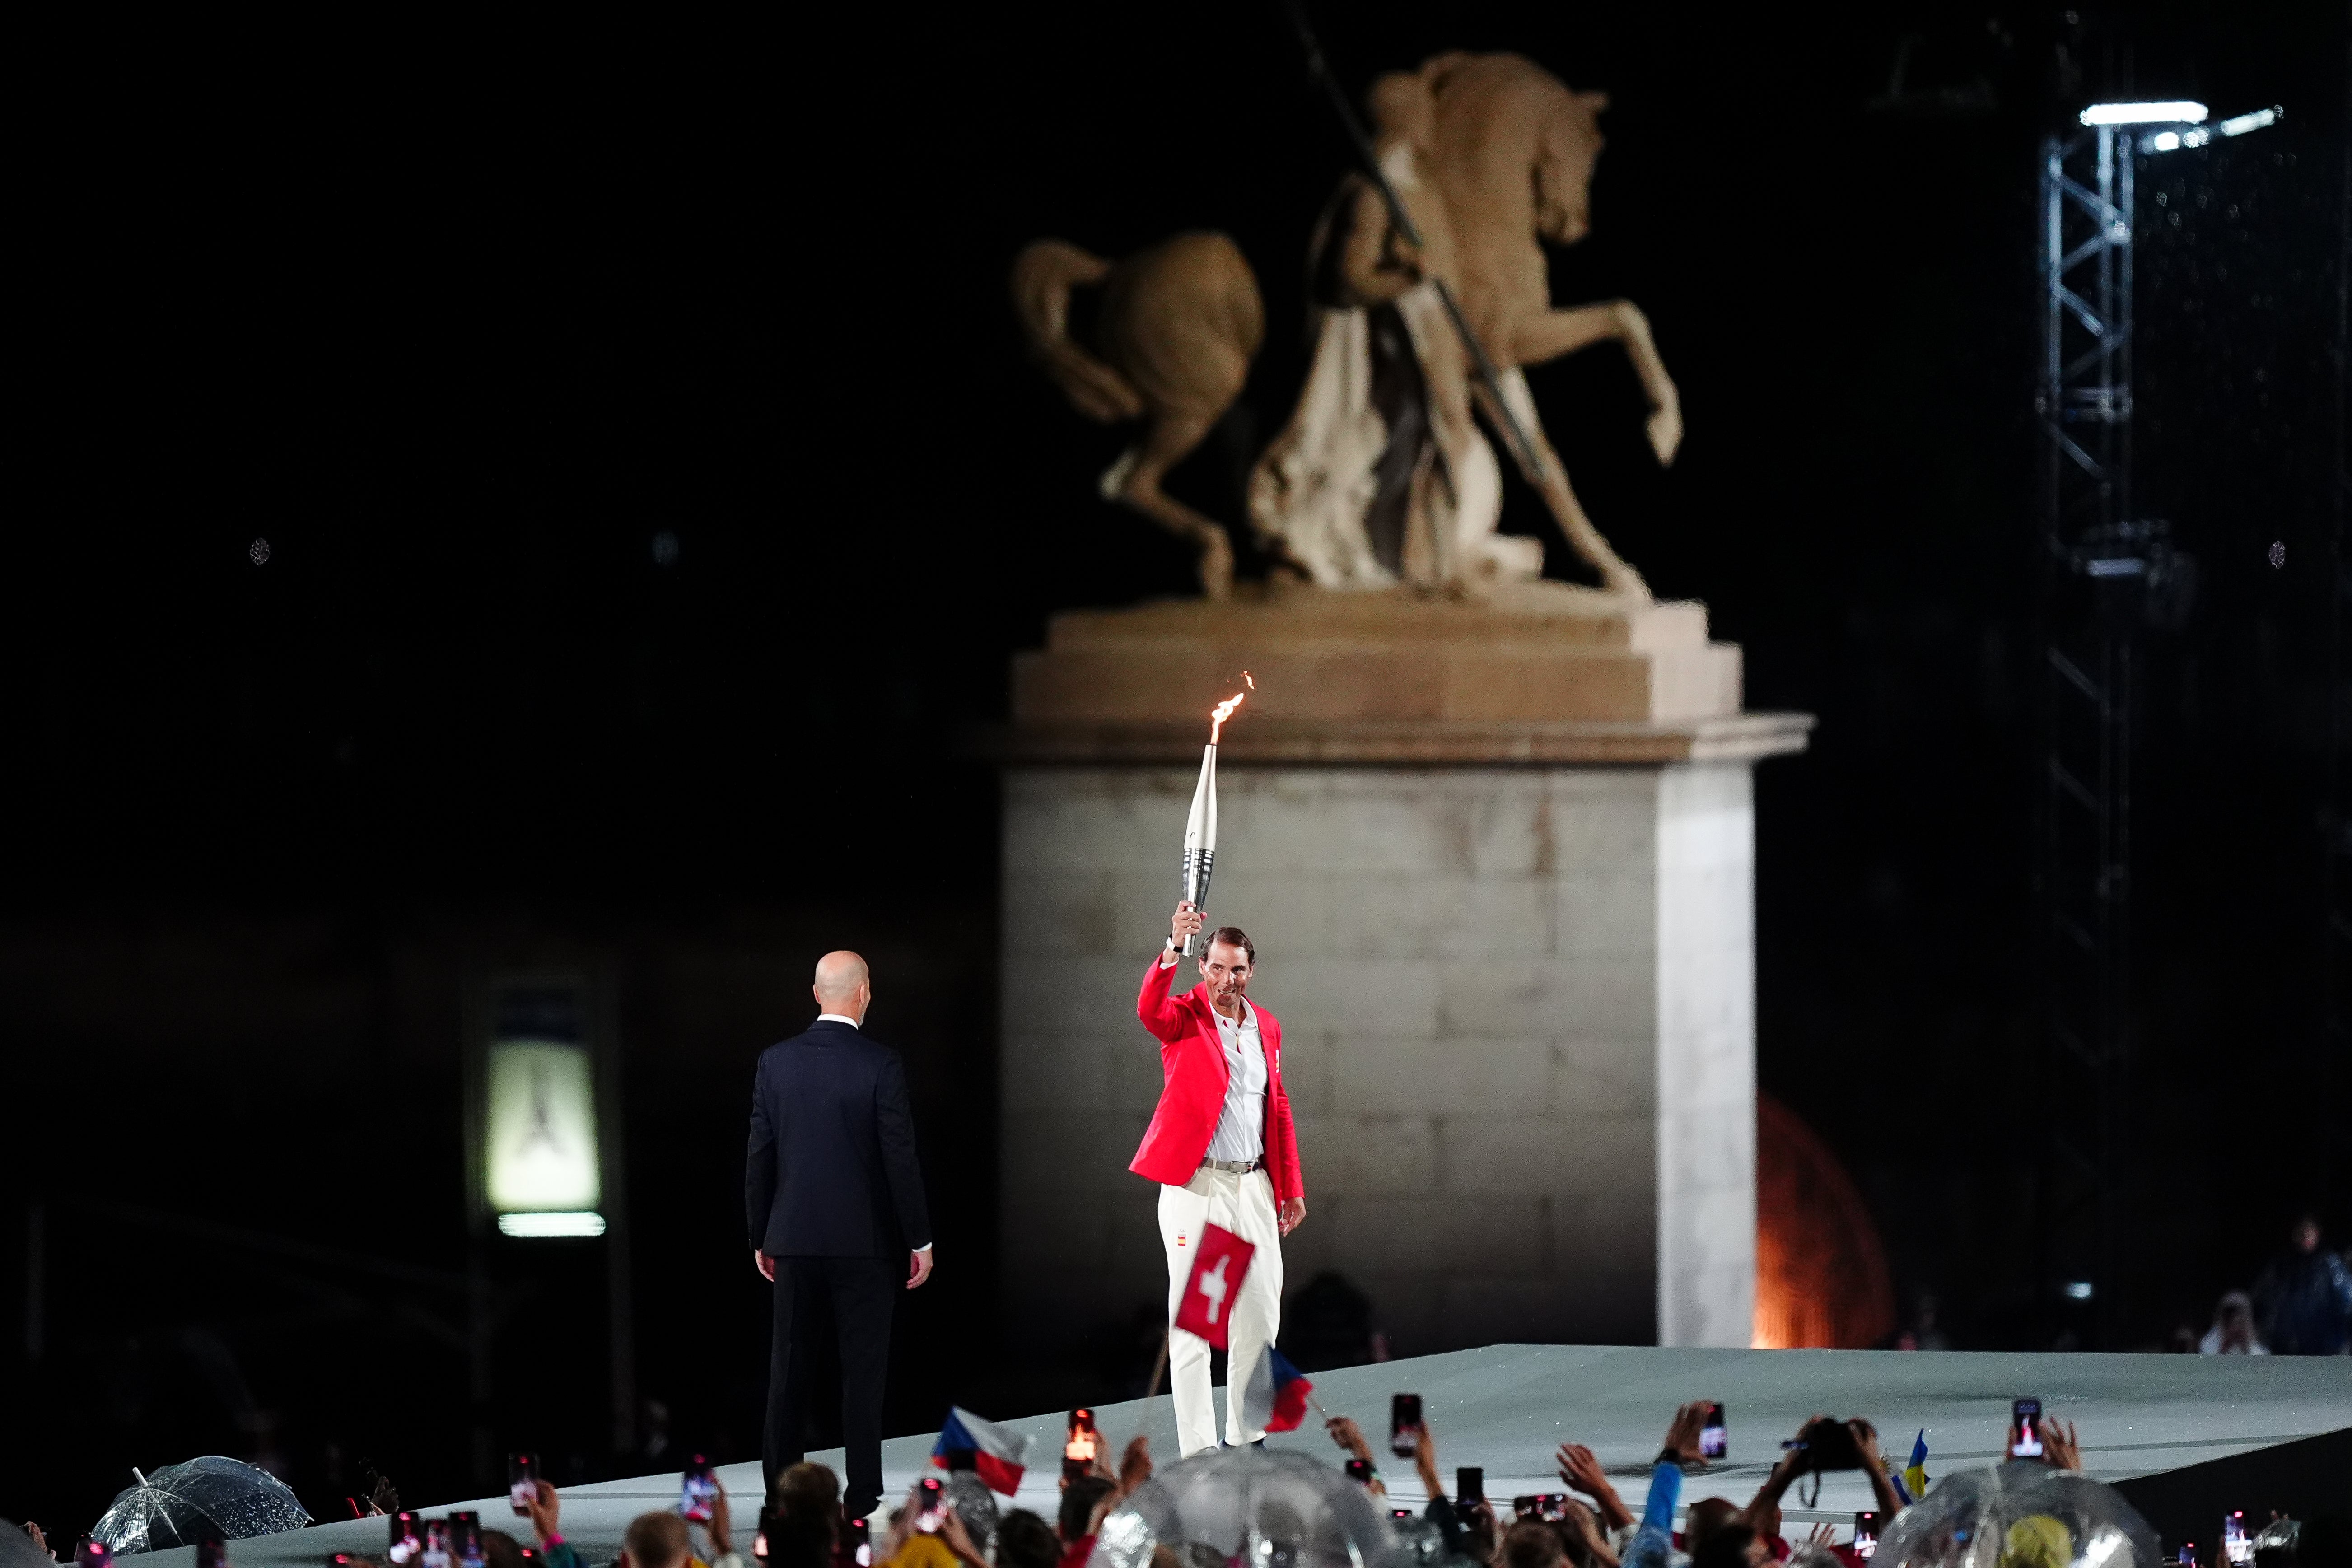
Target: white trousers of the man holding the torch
point(1243, 1205)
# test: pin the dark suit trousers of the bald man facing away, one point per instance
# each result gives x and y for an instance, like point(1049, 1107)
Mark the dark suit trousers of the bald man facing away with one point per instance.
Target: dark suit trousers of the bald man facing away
point(857, 1294)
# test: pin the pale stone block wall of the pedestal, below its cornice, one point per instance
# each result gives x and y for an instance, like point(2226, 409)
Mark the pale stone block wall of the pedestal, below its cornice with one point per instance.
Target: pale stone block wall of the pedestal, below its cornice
point(1518, 1036)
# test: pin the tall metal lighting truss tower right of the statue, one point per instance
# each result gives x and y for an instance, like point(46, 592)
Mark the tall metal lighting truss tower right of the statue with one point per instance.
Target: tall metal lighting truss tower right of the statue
point(2087, 669)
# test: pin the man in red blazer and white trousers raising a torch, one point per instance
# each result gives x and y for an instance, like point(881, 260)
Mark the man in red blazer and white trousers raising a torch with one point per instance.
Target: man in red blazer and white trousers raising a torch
point(1224, 1153)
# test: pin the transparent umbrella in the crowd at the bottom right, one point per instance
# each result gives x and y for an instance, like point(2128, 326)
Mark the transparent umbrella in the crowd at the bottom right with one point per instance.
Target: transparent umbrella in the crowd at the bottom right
point(2019, 1517)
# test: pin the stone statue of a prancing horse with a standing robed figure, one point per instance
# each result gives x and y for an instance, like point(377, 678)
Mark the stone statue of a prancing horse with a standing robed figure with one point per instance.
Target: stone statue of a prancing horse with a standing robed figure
point(1382, 474)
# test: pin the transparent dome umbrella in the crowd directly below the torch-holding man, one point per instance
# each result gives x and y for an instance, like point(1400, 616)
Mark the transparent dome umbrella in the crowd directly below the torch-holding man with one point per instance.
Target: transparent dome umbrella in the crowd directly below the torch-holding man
point(1248, 1508)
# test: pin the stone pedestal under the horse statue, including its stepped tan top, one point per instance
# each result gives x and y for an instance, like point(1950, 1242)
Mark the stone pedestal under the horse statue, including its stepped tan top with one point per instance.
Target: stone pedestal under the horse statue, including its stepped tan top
point(1497, 864)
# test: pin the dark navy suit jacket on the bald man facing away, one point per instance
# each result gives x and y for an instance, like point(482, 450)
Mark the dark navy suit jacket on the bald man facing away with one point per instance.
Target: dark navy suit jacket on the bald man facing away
point(831, 1167)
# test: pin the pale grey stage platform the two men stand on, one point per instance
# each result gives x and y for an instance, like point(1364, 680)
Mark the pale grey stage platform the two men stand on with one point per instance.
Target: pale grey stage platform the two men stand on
point(1509, 1407)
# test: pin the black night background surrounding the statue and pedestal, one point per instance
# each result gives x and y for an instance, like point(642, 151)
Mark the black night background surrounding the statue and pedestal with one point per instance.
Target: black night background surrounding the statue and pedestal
point(462, 326)
